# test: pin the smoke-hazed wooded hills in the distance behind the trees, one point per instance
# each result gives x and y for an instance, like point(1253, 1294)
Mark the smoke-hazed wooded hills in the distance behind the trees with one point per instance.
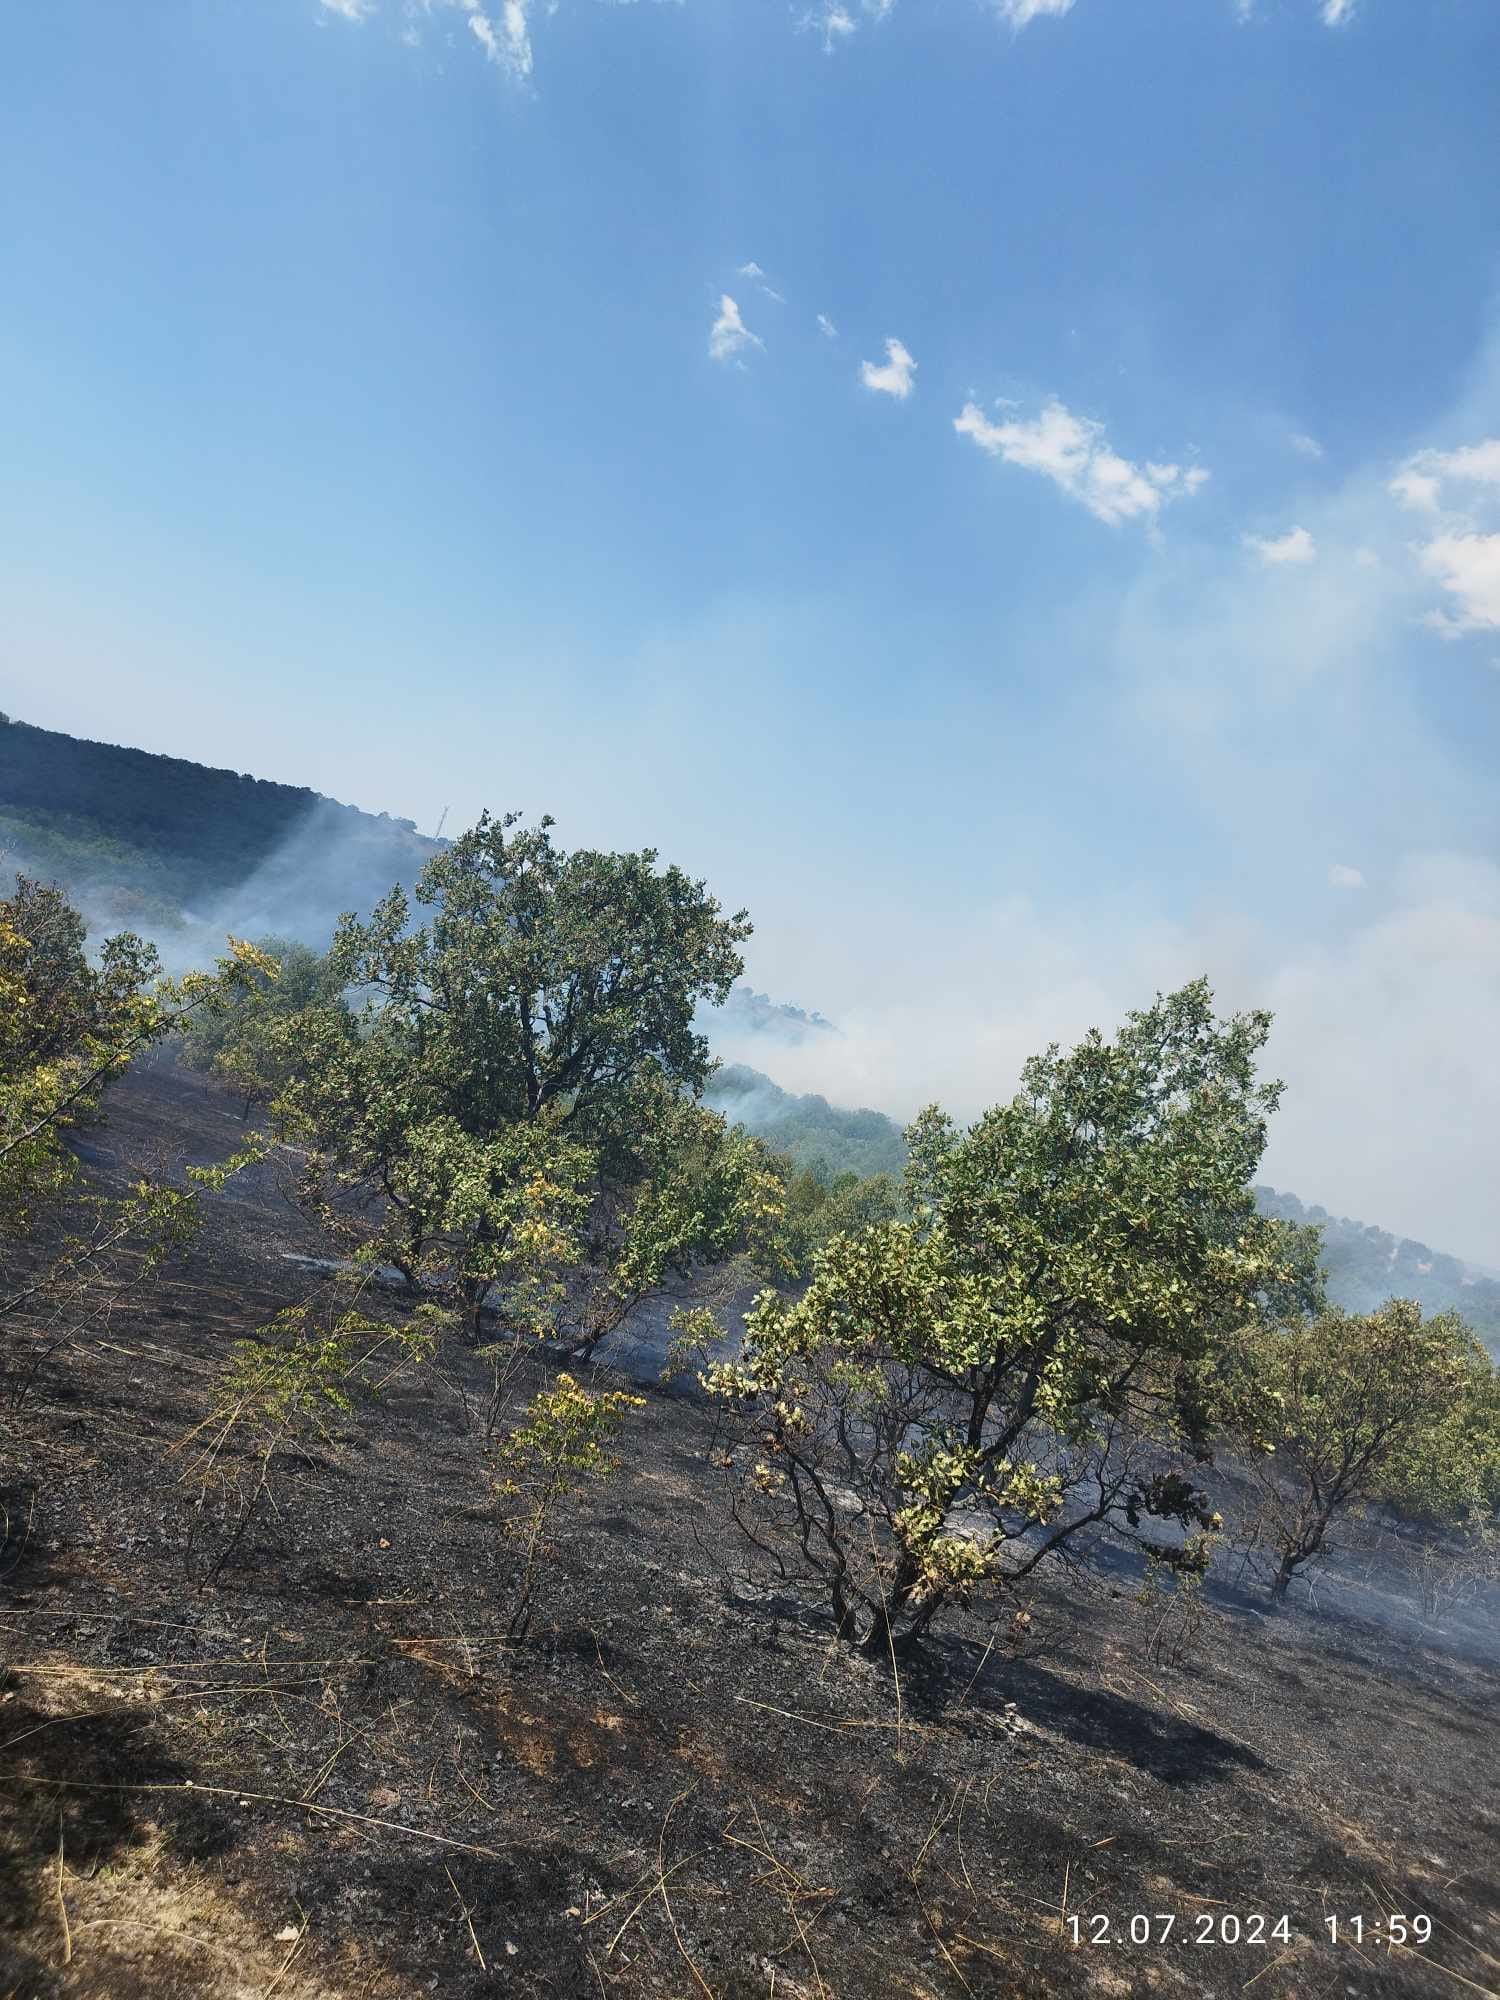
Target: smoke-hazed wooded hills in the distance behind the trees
point(187, 853)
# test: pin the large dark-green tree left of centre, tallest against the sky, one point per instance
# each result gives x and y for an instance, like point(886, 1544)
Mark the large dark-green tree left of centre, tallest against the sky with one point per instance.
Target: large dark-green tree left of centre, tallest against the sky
point(519, 1097)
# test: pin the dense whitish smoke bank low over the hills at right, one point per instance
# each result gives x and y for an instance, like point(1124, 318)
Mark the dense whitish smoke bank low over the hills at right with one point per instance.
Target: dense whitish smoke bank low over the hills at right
point(1383, 1031)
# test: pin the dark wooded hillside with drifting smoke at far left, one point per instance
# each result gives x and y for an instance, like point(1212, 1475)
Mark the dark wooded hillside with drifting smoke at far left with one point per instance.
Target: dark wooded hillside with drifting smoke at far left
point(183, 851)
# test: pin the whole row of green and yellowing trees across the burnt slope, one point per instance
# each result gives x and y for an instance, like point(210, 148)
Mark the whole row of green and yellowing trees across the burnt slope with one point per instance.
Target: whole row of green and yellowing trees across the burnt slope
point(493, 1093)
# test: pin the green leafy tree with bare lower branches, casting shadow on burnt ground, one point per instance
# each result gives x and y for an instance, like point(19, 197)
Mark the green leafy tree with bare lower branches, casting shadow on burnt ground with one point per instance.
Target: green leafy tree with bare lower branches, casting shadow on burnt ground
point(961, 1393)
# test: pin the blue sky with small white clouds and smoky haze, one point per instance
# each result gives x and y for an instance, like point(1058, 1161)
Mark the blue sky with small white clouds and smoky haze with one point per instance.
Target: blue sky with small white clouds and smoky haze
point(1007, 491)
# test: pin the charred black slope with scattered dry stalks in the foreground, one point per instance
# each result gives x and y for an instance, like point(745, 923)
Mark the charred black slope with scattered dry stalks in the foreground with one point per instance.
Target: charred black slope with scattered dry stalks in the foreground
point(329, 1773)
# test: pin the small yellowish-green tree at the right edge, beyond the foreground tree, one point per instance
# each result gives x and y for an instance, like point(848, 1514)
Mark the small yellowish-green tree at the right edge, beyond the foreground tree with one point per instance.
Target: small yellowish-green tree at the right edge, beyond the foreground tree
point(1345, 1409)
